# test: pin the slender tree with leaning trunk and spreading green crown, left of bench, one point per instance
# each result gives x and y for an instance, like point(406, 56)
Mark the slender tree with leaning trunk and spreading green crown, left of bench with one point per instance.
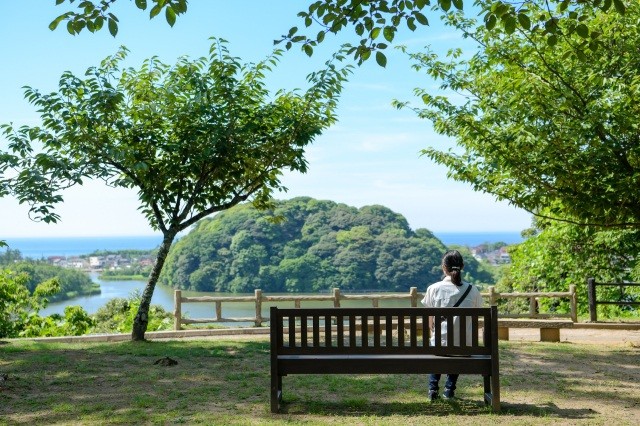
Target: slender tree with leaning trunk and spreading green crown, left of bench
point(193, 139)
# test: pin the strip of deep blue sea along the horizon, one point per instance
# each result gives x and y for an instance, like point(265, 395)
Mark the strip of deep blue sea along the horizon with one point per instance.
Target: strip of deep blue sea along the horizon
point(38, 248)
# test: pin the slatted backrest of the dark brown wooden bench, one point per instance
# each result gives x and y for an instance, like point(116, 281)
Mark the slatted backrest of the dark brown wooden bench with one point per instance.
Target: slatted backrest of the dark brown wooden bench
point(384, 331)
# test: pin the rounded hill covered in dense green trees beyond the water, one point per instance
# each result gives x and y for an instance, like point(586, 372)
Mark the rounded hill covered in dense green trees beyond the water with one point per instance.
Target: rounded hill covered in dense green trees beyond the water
point(314, 246)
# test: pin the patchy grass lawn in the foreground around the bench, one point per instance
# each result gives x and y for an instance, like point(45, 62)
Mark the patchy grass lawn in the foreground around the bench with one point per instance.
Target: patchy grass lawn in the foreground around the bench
point(226, 381)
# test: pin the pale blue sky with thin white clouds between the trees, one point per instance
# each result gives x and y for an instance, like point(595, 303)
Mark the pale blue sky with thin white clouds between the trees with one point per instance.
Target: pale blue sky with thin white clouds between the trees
point(371, 156)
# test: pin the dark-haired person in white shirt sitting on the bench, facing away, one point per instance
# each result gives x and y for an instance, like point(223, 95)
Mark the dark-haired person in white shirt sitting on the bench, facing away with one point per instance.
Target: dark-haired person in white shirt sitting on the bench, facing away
point(450, 292)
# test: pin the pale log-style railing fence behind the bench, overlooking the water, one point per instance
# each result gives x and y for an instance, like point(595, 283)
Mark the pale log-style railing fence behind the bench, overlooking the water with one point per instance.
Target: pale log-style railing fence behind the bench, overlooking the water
point(336, 297)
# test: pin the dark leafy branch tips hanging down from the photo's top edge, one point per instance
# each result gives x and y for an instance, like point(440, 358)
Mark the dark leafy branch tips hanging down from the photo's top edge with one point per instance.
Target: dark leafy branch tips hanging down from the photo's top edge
point(368, 19)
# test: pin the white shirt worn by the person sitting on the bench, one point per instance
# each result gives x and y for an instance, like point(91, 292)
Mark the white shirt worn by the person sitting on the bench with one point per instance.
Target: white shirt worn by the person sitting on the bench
point(445, 294)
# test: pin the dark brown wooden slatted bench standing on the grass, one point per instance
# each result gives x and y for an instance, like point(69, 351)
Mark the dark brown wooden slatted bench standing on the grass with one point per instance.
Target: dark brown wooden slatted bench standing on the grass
point(353, 341)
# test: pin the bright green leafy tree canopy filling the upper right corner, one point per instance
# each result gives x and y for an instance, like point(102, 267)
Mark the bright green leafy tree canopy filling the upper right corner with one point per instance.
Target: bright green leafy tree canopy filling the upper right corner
point(553, 131)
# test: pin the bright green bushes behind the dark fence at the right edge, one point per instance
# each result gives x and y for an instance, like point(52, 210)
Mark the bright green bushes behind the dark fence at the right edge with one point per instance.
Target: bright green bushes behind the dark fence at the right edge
point(558, 254)
